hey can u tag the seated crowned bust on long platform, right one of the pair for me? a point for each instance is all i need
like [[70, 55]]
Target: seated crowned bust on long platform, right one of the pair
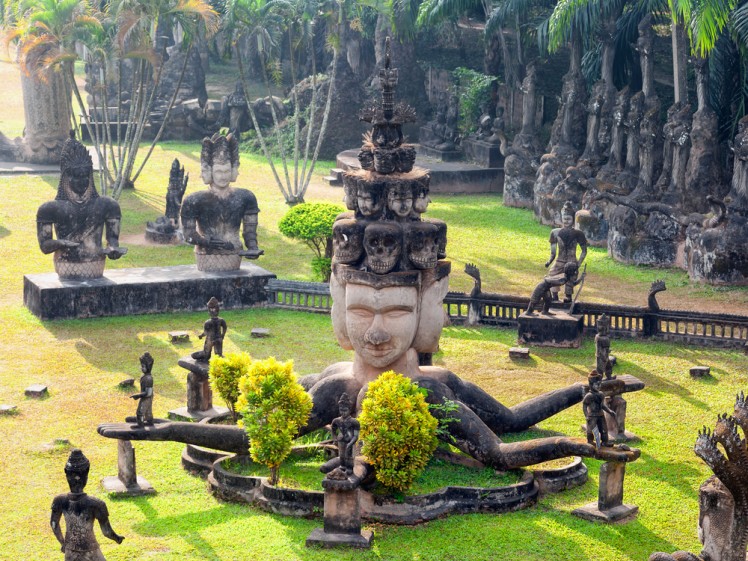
[[211, 219]]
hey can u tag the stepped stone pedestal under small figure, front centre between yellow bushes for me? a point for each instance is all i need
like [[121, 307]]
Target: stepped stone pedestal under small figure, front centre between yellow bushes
[[342, 517]]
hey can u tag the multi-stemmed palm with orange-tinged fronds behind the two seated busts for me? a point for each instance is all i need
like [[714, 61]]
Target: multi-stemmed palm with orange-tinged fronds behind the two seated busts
[[48, 32]]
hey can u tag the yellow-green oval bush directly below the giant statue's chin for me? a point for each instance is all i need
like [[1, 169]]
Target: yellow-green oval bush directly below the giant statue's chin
[[398, 432]]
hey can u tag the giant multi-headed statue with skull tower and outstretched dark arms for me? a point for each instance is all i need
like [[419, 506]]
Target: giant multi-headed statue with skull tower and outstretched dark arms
[[388, 308]]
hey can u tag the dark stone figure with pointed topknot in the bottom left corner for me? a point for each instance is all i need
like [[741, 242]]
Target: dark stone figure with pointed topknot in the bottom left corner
[[80, 511]]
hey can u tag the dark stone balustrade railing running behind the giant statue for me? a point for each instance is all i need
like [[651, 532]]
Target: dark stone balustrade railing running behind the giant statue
[[502, 310]]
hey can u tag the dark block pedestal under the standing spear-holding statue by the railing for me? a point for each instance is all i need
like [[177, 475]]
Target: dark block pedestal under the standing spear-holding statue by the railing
[[558, 329]]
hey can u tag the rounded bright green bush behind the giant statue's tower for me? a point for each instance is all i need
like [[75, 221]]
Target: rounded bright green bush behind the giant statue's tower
[[312, 224]]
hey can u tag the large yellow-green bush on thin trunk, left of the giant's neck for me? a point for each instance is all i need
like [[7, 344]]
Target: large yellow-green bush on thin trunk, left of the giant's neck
[[273, 406]]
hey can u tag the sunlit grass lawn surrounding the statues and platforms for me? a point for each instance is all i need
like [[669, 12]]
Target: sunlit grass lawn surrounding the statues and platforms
[[82, 362]]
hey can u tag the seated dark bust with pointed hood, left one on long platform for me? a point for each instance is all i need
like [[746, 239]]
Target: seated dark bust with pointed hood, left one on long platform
[[72, 225]]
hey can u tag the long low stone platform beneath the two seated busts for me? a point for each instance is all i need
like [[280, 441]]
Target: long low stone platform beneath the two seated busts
[[120, 292]]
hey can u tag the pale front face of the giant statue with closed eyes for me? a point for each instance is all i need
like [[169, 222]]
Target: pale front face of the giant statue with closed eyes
[[381, 323]]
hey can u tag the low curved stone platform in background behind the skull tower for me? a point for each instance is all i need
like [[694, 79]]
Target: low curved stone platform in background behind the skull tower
[[446, 177]]
